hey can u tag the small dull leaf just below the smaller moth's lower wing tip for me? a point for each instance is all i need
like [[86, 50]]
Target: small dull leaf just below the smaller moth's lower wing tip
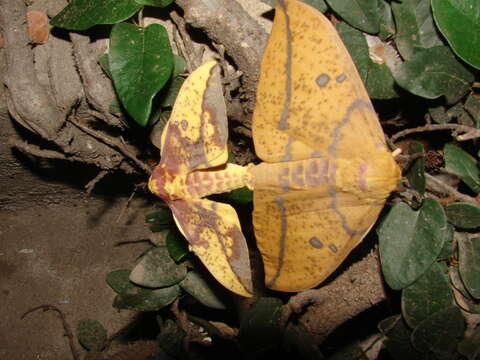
[[203, 291]]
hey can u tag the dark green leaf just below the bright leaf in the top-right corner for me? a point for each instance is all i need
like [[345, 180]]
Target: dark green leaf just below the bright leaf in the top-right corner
[[434, 72]]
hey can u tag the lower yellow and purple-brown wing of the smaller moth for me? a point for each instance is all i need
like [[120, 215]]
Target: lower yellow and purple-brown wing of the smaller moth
[[215, 236]]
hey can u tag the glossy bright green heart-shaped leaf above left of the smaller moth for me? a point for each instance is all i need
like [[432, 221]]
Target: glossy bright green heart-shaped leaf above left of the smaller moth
[[141, 62]]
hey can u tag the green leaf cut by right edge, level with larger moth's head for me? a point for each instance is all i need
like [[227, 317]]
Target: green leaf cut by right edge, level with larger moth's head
[[463, 165]]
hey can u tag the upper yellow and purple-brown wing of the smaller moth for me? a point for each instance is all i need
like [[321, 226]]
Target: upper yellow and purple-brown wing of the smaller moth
[[195, 136]]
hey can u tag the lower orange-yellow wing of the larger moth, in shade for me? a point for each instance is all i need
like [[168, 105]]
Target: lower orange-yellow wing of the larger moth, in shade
[[304, 236]]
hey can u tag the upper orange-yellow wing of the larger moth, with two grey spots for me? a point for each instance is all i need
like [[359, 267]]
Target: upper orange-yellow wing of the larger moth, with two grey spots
[[309, 92]]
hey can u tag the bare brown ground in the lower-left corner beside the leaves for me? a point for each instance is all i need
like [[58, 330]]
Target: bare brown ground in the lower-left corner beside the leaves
[[59, 255]]
